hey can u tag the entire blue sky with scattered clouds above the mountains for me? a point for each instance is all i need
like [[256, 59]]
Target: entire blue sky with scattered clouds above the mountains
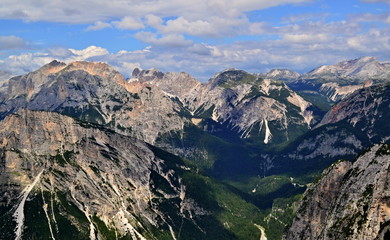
[[200, 37]]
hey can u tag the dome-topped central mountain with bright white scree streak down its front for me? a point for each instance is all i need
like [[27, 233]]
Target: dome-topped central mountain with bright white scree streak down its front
[[251, 106]]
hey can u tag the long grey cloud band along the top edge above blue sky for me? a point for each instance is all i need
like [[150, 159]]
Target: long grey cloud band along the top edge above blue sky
[[91, 11]]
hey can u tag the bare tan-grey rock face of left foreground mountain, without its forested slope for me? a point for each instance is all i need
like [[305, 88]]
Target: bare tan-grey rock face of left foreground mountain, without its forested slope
[[86, 179]]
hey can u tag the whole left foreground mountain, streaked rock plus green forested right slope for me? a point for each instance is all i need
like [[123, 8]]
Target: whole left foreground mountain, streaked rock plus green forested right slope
[[65, 179]]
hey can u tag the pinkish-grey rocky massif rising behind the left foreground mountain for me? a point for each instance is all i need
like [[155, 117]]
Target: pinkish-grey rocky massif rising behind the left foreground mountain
[[97, 93]]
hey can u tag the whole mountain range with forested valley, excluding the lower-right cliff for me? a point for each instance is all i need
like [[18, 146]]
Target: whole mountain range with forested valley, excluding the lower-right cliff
[[90, 154]]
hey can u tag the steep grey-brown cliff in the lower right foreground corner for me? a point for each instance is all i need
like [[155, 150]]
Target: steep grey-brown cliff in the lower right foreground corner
[[350, 201]]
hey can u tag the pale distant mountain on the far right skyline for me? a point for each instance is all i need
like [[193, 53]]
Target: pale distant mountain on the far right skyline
[[335, 82]]
